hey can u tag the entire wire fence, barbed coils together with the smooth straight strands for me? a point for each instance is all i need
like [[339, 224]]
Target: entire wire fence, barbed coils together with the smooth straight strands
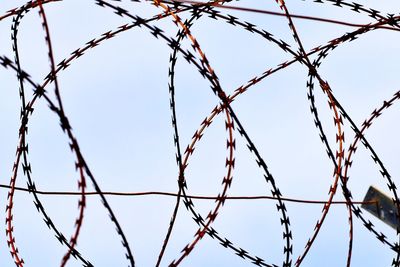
[[341, 157]]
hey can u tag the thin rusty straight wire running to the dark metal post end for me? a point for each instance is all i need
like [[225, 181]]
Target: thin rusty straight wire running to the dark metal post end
[[64, 193]]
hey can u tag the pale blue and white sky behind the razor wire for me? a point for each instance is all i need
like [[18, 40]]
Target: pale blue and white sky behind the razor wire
[[116, 99]]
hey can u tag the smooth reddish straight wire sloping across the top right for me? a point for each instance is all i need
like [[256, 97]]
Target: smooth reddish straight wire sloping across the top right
[[267, 12]]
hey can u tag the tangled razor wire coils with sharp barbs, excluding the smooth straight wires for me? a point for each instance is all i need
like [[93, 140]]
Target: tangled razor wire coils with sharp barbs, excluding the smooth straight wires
[[341, 158]]
